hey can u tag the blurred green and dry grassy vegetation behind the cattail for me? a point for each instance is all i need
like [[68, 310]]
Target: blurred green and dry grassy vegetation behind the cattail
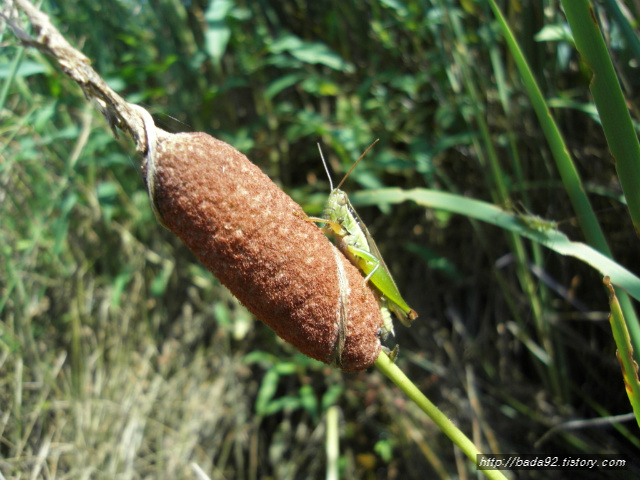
[[120, 356]]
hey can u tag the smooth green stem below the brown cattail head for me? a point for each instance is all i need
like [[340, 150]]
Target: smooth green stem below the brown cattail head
[[397, 376]]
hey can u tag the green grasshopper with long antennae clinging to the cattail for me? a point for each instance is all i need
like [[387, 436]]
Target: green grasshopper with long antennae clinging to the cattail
[[354, 240]]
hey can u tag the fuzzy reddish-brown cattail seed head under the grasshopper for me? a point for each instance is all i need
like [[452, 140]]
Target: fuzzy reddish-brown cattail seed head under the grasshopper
[[254, 238]]
